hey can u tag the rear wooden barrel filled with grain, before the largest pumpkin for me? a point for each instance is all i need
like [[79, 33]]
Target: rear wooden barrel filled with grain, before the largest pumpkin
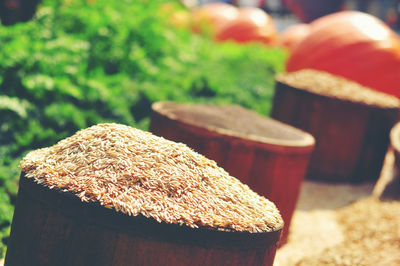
[[350, 123]]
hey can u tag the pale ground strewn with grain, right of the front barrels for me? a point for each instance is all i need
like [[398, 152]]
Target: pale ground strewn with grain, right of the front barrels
[[340, 224]]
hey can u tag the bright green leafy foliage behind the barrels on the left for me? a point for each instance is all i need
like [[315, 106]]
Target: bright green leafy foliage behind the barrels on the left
[[79, 63]]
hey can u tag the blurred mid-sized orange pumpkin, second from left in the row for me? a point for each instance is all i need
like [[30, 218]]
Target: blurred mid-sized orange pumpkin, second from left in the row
[[251, 25]]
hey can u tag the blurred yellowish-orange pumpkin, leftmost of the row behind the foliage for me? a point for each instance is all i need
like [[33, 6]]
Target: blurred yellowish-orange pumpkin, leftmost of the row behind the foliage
[[212, 16]]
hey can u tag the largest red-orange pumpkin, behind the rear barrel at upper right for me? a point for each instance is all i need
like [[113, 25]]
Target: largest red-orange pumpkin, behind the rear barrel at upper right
[[354, 45]]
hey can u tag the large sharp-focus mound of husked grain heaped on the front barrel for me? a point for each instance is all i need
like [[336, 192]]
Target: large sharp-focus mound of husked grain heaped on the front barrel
[[136, 173]]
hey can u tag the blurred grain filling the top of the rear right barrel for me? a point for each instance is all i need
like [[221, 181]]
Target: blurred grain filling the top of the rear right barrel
[[326, 84]]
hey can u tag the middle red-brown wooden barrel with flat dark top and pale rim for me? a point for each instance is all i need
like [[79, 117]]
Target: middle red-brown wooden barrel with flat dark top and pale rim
[[267, 155]]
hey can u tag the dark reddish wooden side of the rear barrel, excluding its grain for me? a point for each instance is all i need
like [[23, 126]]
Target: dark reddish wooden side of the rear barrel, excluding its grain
[[351, 138]]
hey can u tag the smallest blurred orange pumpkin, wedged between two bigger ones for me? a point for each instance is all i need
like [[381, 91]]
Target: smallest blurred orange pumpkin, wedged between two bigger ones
[[293, 35]]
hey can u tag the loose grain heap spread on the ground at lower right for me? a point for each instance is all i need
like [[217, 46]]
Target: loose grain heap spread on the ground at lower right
[[372, 236]]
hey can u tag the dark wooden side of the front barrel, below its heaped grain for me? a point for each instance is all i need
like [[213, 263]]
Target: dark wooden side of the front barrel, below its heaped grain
[[51, 227]]
